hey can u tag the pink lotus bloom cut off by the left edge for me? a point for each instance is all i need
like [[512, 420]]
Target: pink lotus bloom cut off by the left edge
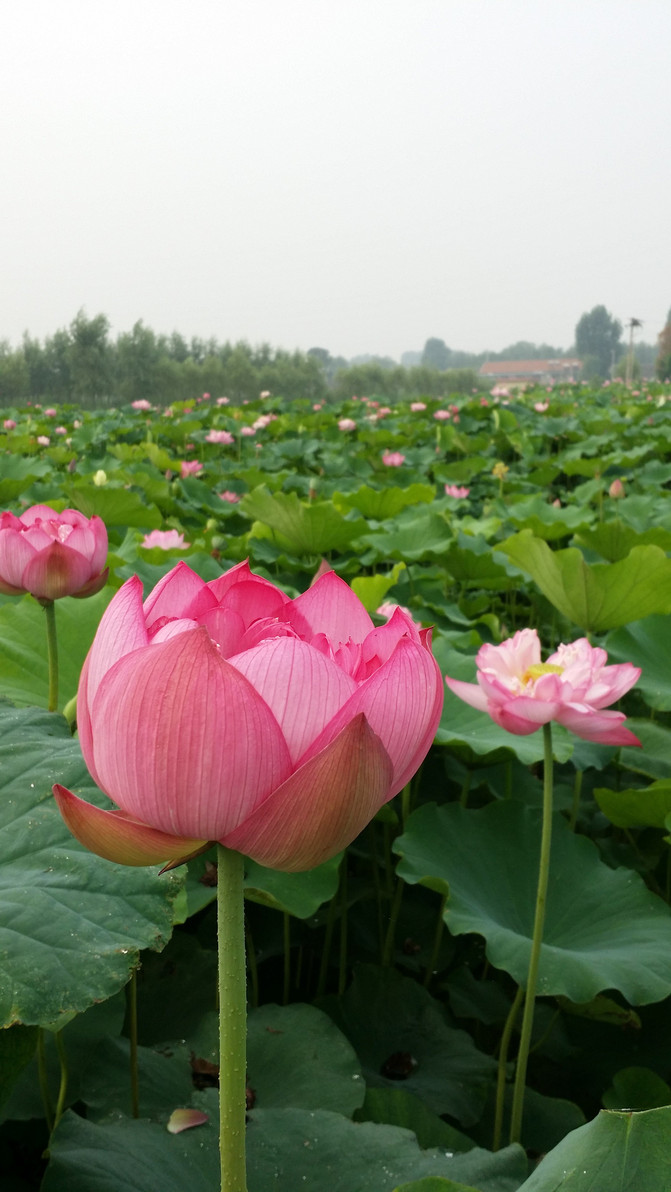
[[52, 555]]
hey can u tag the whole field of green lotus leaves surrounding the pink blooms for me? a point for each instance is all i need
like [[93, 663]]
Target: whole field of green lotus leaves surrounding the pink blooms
[[380, 984]]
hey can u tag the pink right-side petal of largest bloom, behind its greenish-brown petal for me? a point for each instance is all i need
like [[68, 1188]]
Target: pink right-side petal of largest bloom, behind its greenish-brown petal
[[402, 703]]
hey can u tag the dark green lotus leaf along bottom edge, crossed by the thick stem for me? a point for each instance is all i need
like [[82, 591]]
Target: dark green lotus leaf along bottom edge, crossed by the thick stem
[[288, 1150]]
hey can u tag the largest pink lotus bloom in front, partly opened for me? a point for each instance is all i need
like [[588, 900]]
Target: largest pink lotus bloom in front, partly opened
[[228, 712]]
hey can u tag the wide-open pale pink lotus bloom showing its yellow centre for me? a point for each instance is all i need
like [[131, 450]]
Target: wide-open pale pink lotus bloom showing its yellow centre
[[574, 686]]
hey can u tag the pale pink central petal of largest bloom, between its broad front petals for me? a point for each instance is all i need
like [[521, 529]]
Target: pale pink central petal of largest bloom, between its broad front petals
[[303, 688]]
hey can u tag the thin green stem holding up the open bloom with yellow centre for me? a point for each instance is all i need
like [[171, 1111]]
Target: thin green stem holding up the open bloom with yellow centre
[[537, 942]]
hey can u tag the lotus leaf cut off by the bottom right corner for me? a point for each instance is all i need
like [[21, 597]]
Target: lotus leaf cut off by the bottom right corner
[[619, 1152]]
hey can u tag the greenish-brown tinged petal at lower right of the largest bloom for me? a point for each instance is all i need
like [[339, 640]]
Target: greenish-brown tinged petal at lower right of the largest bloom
[[322, 808]]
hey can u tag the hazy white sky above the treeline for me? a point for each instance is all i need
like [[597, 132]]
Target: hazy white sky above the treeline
[[351, 175]]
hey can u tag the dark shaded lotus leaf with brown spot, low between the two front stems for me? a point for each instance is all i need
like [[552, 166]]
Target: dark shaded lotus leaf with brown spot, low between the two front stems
[[403, 1040]]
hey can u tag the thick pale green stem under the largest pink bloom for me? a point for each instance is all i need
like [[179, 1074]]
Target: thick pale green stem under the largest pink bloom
[[233, 1019]]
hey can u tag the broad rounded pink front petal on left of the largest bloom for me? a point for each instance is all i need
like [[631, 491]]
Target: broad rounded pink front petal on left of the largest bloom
[[183, 742]]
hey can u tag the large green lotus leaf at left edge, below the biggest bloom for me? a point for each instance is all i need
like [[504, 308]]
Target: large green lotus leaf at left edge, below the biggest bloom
[[72, 926]]
